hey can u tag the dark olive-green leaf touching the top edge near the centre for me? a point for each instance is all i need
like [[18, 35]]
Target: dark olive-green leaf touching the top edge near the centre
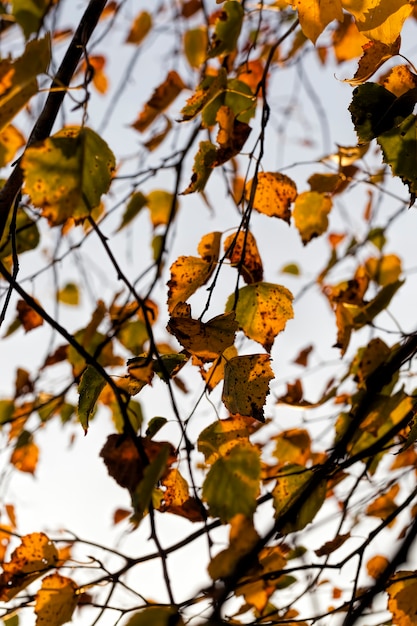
[[227, 29]]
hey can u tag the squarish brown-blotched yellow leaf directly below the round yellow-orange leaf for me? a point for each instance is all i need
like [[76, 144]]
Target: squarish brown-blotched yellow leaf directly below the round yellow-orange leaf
[[246, 385]]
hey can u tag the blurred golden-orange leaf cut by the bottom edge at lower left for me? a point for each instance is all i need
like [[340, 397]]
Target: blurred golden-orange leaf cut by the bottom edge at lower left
[[55, 601]]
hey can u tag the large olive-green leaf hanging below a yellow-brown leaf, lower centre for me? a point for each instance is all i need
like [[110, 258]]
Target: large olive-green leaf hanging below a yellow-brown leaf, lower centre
[[232, 484]]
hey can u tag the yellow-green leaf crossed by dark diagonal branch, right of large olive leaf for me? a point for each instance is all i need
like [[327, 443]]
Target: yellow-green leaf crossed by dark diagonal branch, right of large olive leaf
[[291, 487]]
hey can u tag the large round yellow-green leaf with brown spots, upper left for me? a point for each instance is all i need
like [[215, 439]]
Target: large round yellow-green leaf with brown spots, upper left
[[67, 174]]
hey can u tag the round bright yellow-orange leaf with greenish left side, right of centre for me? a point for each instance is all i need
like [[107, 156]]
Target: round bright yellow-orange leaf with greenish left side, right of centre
[[262, 311]]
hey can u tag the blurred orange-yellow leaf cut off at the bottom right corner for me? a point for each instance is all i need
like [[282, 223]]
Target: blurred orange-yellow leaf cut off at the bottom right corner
[[402, 598]]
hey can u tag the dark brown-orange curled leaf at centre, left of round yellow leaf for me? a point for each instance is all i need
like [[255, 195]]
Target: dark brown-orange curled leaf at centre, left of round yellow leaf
[[205, 340]]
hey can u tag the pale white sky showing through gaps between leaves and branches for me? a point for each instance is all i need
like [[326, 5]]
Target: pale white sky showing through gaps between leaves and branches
[[71, 488]]
